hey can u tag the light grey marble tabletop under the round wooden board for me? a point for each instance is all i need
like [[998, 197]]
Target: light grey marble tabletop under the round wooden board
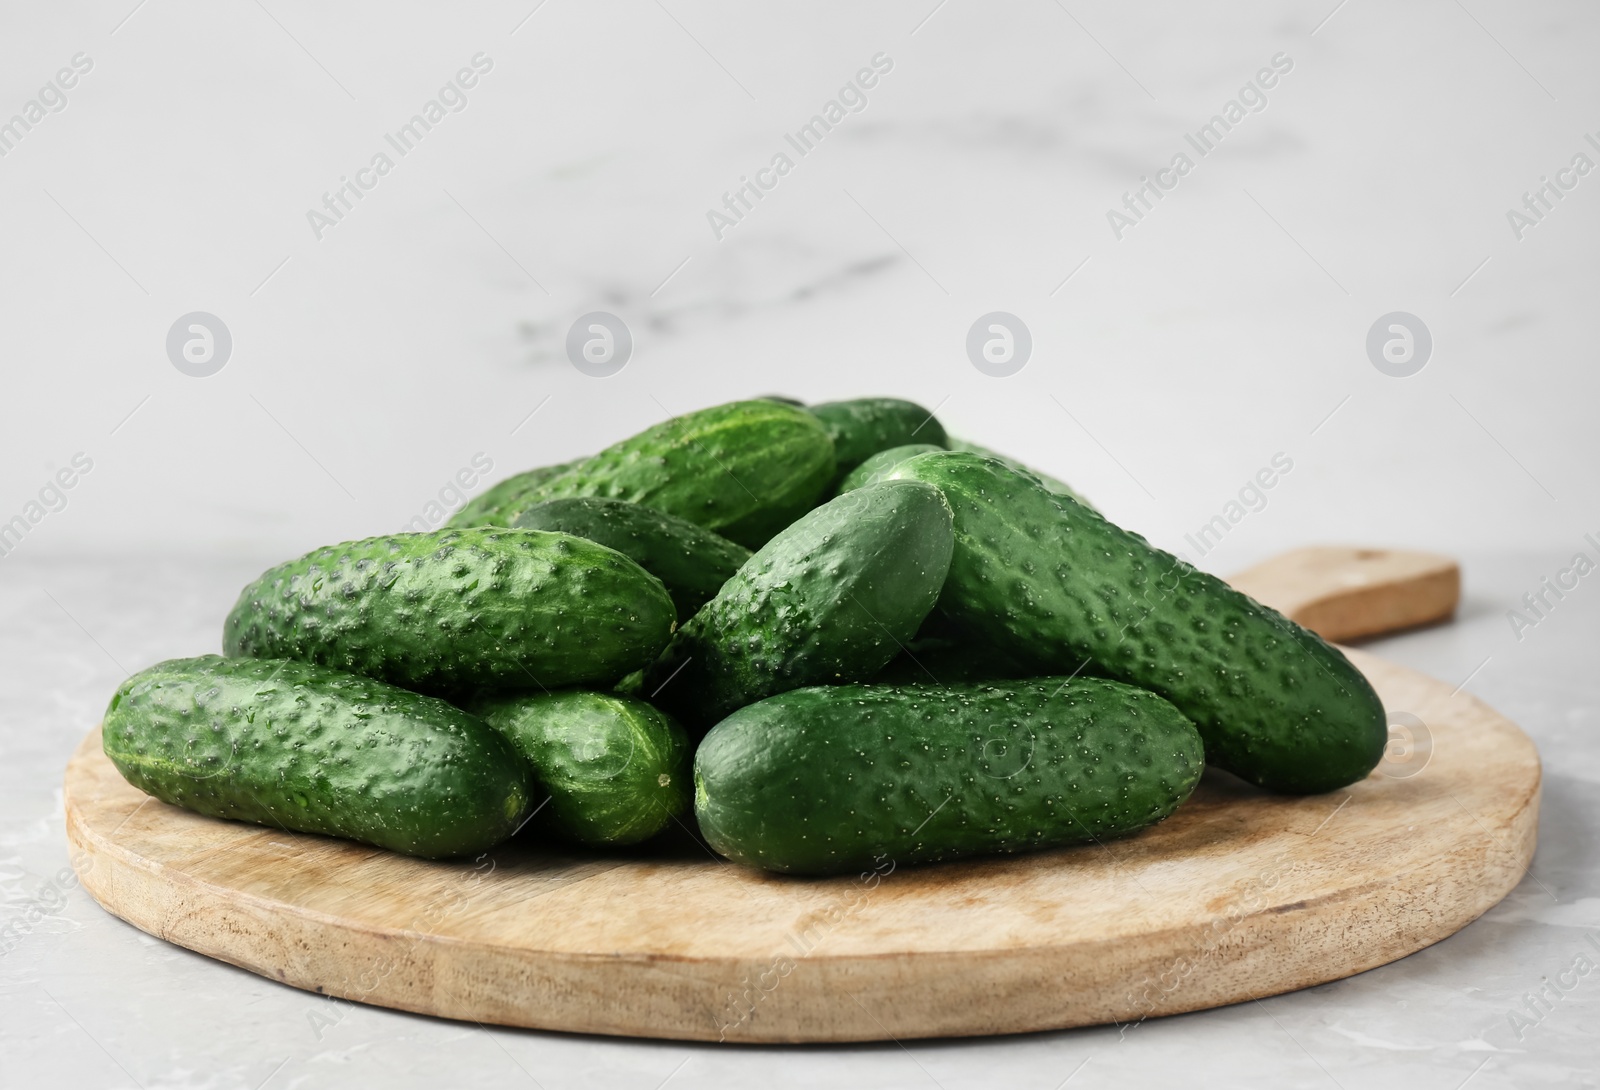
[[94, 1003]]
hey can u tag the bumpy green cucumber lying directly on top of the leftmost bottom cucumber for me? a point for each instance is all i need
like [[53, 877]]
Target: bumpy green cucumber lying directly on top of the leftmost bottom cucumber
[[458, 611]]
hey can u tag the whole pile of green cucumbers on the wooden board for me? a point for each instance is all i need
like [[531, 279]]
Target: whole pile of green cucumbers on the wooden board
[[817, 636]]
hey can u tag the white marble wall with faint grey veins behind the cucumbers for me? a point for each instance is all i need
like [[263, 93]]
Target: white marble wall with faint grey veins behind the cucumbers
[[1222, 331]]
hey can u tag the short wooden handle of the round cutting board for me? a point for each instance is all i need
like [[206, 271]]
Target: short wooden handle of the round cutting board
[[1346, 593]]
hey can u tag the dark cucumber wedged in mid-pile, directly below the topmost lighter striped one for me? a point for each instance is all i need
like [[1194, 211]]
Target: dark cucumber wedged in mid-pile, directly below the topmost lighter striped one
[[692, 563]]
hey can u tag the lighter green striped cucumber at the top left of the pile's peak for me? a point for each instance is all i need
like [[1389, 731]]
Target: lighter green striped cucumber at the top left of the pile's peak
[[745, 470]]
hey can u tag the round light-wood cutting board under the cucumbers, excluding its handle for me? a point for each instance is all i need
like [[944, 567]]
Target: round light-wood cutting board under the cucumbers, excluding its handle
[[1239, 896]]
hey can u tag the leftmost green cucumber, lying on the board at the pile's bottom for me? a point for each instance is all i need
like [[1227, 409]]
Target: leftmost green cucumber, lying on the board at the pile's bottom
[[305, 748]]
